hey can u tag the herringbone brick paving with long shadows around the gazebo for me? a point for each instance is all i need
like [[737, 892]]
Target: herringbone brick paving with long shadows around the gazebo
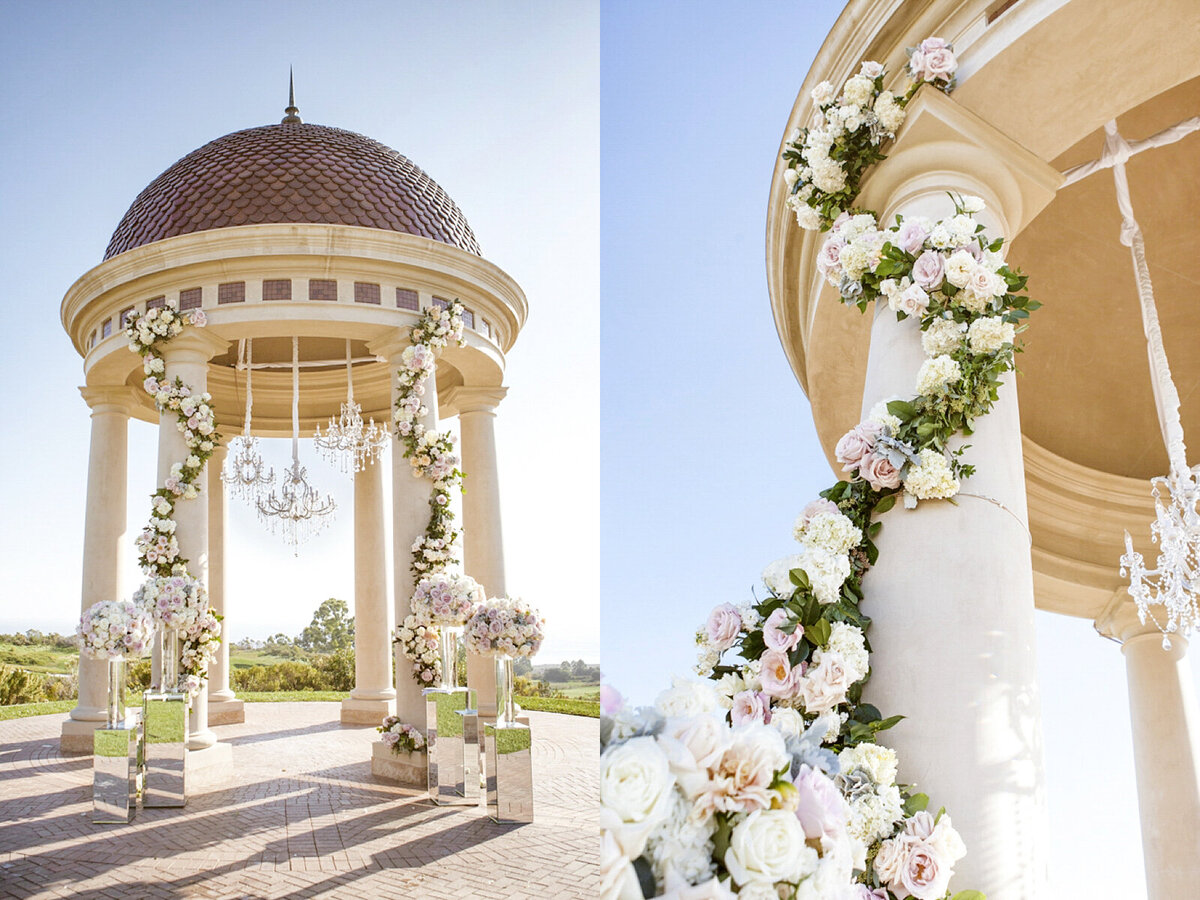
[[302, 817]]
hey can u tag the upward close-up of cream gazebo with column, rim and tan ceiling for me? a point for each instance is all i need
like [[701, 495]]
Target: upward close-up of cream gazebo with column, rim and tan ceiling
[[1063, 473]]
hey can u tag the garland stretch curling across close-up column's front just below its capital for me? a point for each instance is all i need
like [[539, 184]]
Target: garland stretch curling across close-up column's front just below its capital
[[970, 305]]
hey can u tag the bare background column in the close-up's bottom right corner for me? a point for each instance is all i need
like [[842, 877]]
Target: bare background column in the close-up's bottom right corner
[[1166, 749]]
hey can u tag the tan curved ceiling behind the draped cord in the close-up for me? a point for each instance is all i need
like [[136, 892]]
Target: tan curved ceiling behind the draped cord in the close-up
[[1087, 389]]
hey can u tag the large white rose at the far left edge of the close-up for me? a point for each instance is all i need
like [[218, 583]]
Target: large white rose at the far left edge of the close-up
[[635, 793]]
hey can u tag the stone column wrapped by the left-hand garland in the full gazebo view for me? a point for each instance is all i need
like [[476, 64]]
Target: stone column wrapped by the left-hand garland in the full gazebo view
[[188, 357]]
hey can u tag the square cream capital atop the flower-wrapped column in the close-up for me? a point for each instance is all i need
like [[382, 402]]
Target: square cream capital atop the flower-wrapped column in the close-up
[[945, 147]]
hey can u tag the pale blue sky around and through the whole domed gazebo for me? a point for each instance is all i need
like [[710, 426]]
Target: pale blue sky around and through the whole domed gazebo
[[499, 103]]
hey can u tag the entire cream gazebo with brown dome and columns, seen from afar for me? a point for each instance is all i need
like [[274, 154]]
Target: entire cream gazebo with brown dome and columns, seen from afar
[[280, 232]]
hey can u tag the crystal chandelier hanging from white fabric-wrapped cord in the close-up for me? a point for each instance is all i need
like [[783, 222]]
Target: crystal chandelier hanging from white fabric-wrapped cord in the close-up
[[1173, 584]]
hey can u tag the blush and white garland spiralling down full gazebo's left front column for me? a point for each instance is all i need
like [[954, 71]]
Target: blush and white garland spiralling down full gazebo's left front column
[[172, 595]]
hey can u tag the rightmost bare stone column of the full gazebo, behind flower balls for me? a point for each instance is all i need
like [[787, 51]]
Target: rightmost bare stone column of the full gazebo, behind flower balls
[[483, 536]]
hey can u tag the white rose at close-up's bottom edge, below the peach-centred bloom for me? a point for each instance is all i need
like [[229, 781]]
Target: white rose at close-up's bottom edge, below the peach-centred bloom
[[770, 847]]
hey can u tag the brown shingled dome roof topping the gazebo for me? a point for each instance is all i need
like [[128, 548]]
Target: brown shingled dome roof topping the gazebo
[[292, 173]]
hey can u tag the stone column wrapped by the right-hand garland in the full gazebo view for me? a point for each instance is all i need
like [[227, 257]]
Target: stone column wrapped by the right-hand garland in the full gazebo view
[[410, 517]]
